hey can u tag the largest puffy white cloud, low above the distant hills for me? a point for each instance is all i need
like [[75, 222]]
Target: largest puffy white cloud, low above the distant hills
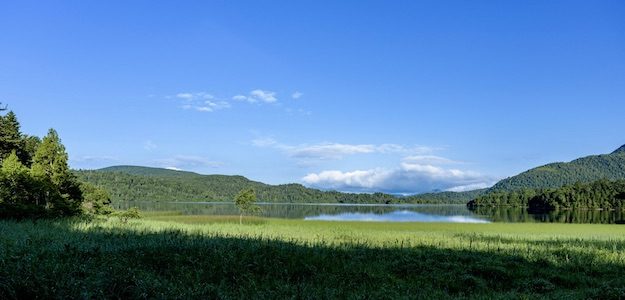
[[409, 178]]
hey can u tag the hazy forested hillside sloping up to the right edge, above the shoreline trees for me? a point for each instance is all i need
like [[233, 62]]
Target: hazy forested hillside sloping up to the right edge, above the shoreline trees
[[587, 169]]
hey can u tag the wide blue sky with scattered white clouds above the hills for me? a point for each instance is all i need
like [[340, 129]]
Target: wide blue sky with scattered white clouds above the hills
[[394, 96]]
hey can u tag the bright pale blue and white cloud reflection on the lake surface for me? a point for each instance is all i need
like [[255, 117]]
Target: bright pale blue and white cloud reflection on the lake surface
[[396, 216]]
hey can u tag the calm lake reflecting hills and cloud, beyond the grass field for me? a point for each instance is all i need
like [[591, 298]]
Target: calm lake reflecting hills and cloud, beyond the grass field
[[387, 213]]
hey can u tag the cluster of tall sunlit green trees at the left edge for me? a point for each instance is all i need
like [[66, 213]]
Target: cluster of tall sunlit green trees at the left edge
[[35, 179]]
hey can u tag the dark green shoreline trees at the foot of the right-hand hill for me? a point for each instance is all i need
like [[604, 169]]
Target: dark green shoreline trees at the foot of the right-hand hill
[[600, 194]]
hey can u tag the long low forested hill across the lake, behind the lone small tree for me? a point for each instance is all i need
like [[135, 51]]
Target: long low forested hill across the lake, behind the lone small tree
[[132, 183]]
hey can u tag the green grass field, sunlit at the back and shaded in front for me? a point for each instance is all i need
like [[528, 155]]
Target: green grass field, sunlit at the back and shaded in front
[[168, 255]]
